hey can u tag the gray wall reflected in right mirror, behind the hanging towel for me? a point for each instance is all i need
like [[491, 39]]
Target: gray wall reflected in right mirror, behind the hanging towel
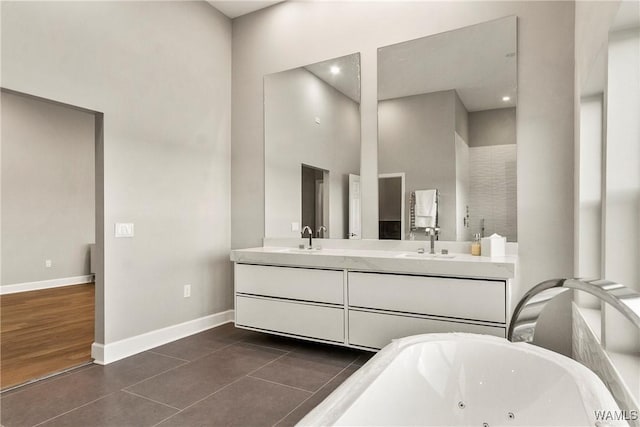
[[416, 136]]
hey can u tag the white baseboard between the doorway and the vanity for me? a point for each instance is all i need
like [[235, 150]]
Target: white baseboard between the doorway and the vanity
[[105, 354]]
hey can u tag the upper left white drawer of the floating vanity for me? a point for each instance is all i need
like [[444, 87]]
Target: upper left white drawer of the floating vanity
[[293, 283]]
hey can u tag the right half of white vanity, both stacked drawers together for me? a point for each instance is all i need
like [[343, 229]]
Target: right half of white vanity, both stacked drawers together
[[385, 306]]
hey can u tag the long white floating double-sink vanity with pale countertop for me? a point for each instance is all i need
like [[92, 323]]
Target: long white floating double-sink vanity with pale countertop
[[366, 298]]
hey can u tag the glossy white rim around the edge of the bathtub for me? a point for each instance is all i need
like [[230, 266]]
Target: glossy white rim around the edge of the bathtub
[[329, 411]]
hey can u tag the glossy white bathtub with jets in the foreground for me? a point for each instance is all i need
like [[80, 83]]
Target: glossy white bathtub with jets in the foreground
[[465, 380]]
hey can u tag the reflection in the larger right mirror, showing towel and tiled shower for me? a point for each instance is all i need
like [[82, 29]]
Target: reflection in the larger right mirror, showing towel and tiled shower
[[447, 121]]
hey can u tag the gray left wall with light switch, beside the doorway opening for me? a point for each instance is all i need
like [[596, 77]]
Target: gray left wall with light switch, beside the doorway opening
[[161, 74]]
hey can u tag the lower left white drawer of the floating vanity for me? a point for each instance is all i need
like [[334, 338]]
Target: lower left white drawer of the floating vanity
[[326, 323]]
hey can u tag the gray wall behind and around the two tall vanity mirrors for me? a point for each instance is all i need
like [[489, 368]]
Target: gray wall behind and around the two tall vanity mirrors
[[263, 45]]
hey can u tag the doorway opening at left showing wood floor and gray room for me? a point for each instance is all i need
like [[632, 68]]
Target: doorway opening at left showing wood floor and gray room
[[51, 291]]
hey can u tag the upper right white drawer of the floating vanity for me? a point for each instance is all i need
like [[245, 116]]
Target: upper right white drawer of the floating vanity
[[437, 296]]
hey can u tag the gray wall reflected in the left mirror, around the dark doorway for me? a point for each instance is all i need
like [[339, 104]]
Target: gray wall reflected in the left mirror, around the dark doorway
[[293, 100]]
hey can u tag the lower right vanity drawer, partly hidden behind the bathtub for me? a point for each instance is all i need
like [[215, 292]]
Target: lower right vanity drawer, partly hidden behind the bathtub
[[375, 330]]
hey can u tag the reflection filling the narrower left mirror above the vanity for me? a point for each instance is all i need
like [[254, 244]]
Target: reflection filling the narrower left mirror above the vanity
[[312, 146]]
